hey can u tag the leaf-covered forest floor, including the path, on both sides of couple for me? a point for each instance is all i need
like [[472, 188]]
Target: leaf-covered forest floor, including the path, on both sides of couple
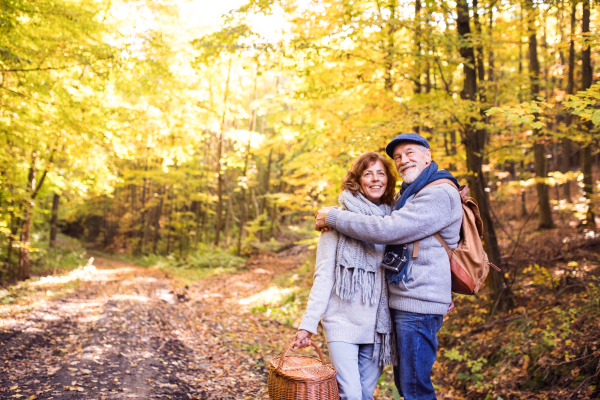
[[111, 329]]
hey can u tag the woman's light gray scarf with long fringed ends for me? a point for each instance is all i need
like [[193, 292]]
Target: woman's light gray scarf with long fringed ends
[[356, 266]]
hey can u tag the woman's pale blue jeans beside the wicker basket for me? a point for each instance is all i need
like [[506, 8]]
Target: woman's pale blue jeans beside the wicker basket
[[357, 373]]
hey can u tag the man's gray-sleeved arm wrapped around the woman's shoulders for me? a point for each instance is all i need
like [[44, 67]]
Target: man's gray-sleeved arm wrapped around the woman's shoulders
[[425, 215]]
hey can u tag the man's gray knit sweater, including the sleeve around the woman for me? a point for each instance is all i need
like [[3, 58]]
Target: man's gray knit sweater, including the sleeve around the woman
[[434, 209]]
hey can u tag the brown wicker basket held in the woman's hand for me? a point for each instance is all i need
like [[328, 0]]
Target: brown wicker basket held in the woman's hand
[[302, 378]]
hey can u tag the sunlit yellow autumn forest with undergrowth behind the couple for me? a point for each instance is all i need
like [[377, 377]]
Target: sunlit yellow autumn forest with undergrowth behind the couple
[[157, 132]]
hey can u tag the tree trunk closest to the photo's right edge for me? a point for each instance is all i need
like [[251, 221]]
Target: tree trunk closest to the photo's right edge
[[586, 151]]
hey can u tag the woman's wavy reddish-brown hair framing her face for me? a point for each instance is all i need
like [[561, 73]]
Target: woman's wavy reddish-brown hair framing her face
[[351, 181]]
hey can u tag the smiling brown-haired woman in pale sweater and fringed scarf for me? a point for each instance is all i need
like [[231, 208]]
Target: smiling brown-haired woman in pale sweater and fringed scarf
[[349, 291]]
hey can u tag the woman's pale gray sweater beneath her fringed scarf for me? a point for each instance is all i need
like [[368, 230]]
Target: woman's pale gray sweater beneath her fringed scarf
[[350, 321]]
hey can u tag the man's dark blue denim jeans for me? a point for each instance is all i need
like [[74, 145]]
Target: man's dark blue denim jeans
[[417, 349]]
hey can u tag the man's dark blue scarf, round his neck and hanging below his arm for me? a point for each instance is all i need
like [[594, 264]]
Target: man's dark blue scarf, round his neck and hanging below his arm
[[428, 175]]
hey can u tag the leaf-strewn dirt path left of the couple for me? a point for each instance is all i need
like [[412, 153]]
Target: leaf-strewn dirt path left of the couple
[[112, 330]]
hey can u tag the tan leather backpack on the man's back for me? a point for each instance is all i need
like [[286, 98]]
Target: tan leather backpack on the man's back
[[469, 263]]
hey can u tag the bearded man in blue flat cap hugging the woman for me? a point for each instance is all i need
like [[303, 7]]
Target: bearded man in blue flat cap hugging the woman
[[420, 292]]
